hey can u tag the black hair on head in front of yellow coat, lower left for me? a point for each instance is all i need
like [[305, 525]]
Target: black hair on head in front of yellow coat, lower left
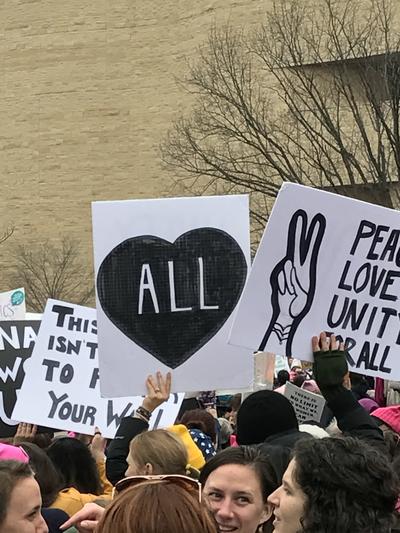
[[75, 465]]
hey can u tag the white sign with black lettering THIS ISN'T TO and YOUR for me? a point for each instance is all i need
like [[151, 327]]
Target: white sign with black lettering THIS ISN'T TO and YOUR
[[61, 385]]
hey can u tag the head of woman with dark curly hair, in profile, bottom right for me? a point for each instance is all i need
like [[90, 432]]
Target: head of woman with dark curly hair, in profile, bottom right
[[335, 484]]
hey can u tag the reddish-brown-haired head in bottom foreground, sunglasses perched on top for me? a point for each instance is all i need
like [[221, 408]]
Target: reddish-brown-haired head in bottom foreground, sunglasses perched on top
[[162, 505]]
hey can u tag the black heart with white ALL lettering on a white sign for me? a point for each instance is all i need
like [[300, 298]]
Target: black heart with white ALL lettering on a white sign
[[172, 298]]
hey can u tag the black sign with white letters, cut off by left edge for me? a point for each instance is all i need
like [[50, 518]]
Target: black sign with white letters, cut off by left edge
[[16, 343]]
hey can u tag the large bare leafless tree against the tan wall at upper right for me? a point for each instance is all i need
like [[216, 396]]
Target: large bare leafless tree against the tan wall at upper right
[[311, 96]]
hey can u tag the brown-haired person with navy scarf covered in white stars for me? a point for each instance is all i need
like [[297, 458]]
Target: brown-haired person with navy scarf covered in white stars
[[202, 428]]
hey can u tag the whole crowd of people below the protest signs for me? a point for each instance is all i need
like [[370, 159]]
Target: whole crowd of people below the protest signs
[[242, 467]]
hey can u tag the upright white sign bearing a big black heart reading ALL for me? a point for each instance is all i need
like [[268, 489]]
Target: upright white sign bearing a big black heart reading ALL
[[169, 274]]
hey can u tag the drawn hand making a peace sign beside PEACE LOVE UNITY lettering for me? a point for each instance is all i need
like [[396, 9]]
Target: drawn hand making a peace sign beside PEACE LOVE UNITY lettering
[[293, 280]]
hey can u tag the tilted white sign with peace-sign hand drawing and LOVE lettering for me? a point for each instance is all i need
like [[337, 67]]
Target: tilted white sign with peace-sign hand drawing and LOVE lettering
[[326, 263]]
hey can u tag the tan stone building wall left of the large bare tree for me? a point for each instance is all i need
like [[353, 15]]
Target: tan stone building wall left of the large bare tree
[[87, 91]]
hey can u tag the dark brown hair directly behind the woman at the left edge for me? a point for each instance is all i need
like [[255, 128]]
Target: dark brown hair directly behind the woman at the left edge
[[45, 473]]
